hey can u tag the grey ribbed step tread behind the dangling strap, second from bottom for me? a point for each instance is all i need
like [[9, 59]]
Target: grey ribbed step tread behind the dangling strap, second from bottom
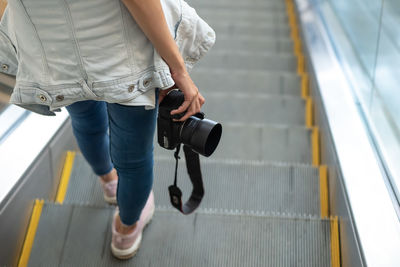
[[251, 186]]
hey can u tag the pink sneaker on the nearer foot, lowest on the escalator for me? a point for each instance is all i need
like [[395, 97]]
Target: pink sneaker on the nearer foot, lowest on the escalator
[[125, 246]]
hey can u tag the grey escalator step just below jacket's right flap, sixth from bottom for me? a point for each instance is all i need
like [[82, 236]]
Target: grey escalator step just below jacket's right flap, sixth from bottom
[[250, 61]]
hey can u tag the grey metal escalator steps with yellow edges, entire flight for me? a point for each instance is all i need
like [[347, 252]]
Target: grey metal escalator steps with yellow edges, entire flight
[[266, 194]]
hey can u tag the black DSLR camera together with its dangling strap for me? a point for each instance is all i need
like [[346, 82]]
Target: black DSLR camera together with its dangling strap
[[198, 135]]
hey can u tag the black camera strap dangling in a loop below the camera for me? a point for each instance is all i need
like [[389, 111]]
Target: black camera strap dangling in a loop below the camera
[[194, 171]]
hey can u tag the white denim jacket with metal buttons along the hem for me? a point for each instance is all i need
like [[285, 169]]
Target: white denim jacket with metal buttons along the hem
[[63, 51]]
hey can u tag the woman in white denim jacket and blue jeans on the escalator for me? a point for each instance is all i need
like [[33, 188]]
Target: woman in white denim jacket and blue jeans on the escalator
[[107, 61]]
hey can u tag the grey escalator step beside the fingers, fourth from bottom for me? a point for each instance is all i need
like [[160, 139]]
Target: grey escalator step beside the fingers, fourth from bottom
[[254, 108]]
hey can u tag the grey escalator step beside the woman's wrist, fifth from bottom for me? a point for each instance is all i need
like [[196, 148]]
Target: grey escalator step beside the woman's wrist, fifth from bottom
[[231, 81]]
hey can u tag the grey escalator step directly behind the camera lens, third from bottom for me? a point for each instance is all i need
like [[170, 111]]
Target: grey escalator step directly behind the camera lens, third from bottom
[[261, 142]]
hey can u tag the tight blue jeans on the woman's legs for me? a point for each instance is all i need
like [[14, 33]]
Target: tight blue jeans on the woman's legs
[[128, 147]]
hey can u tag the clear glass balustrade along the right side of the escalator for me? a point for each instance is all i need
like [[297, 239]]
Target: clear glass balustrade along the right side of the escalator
[[366, 37]]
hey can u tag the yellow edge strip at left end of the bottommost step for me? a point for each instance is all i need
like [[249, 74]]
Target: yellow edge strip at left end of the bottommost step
[[30, 235]]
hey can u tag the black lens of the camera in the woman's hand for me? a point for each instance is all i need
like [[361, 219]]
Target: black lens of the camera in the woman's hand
[[202, 136]]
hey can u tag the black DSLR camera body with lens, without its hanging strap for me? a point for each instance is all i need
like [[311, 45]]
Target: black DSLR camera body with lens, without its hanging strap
[[200, 134]]
